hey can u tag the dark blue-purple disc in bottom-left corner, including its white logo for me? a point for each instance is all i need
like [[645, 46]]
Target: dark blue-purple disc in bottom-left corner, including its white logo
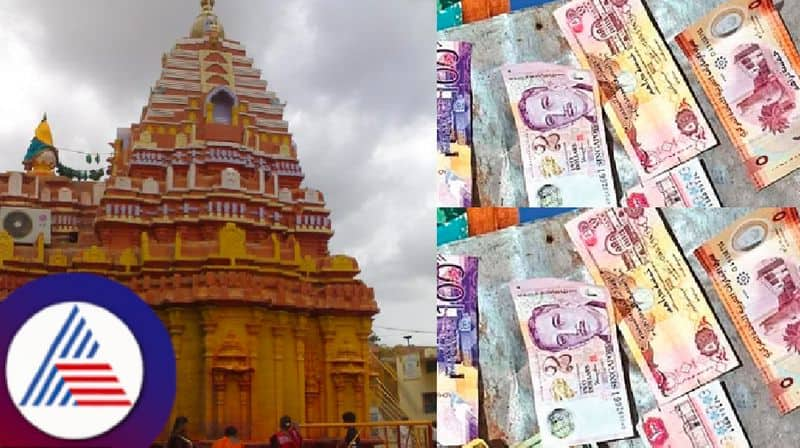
[[85, 363]]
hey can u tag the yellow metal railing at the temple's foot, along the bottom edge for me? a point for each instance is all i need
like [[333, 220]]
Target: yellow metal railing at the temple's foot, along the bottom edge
[[394, 434]]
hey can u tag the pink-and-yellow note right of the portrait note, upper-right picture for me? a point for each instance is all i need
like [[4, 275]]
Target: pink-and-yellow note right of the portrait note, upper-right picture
[[644, 93]]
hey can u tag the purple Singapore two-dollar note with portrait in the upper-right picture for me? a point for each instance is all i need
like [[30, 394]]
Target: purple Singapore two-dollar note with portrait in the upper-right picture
[[561, 135]]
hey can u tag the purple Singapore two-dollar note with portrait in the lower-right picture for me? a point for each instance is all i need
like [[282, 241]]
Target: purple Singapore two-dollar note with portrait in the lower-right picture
[[573, 354]]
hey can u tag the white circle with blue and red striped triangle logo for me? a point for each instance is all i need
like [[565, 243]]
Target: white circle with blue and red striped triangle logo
[[74, 370]]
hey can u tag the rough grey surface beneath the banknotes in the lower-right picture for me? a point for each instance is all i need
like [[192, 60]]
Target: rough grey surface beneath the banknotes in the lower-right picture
[[543, 249]]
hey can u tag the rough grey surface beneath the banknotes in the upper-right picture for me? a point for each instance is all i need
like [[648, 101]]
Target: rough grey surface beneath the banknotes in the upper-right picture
[[533, 35]]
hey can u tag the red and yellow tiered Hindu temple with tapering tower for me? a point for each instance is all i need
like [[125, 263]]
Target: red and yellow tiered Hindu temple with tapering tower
[[203, 213]]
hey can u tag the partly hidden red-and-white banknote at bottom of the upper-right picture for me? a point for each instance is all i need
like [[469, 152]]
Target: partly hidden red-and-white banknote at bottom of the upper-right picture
[[686, 186]]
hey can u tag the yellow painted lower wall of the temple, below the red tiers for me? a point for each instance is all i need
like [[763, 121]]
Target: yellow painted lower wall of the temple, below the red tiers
[[247, 366]]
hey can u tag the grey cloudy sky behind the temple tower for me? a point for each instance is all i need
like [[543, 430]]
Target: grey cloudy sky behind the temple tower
[[356, 78]]
